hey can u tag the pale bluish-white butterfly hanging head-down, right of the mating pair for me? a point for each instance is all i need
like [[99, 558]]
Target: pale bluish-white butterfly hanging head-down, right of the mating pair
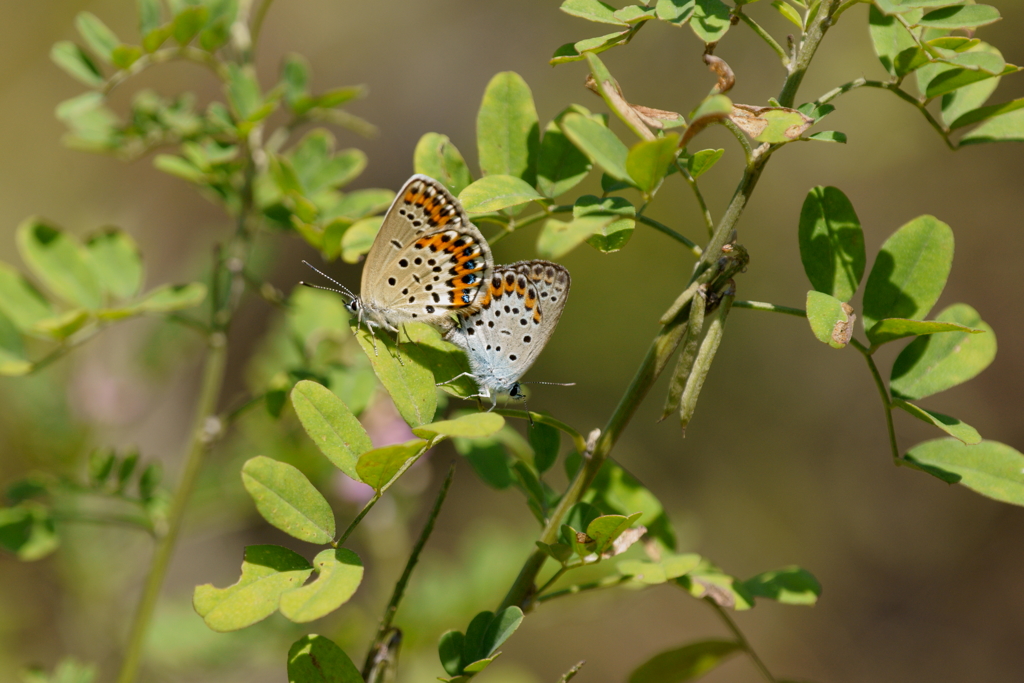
[[514, 322]]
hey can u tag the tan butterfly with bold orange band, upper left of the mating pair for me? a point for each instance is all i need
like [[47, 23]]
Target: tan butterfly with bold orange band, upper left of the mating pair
[[428, 262]]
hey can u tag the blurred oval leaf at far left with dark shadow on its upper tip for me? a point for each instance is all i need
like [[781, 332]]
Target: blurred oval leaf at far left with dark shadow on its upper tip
[[58, 260]]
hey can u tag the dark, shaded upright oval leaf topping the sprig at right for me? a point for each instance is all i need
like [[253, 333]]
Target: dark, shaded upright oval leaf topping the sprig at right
[[832, 244]]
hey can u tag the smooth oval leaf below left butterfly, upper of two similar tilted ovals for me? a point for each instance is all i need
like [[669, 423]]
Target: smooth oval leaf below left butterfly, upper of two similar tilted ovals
[[331, 425]]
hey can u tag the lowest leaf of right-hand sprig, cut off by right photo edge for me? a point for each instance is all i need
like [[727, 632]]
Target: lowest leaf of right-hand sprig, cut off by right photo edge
[[993, 469]]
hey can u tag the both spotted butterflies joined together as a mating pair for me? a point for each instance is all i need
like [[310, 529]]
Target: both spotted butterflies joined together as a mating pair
[[429, 263]]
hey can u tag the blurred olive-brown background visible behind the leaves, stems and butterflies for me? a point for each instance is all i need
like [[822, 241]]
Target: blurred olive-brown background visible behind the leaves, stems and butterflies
[[785, 463]]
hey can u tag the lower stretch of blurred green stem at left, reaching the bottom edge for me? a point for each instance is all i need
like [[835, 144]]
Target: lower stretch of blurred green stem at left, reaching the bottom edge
[[202, 437]]
